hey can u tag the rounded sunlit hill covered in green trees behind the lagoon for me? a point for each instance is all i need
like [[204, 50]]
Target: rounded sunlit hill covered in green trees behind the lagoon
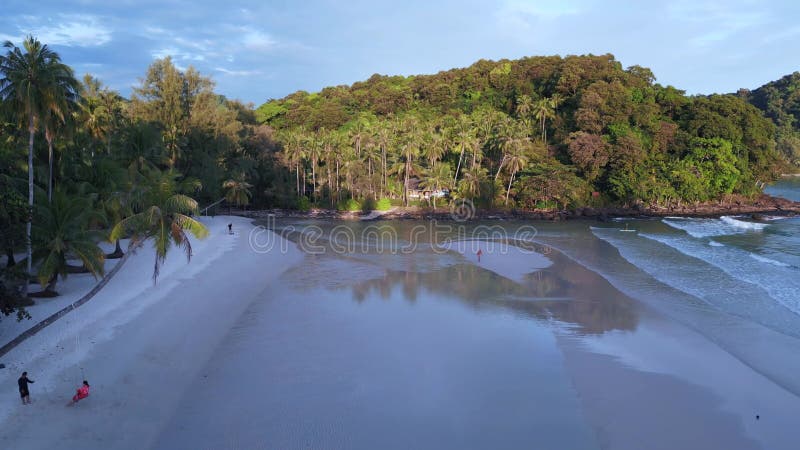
[[533, 132]]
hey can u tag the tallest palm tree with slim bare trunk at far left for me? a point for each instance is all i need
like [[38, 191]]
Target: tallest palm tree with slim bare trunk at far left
[[34, 83]]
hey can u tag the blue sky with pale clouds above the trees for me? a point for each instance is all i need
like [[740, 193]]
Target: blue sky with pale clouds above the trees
[[257, 50]]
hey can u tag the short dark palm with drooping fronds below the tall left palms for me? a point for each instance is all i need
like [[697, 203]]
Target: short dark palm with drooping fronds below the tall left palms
[[61, 234]]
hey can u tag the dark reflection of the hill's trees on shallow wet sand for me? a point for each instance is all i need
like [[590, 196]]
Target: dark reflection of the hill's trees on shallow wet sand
[[564, 292]]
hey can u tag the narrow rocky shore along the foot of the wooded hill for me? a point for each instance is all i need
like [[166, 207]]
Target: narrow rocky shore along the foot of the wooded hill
[[759, 207]]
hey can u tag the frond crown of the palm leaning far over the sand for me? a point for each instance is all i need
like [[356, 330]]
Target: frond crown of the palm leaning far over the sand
[[163, 215]]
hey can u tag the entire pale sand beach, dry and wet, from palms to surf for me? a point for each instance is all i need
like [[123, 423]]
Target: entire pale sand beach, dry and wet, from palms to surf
[[224, 352]]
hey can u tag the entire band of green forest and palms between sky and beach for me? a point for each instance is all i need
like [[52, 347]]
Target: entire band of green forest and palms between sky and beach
[[80, 164]]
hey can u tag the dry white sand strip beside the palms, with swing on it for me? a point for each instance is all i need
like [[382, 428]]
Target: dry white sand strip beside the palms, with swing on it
[[137, 344]]
